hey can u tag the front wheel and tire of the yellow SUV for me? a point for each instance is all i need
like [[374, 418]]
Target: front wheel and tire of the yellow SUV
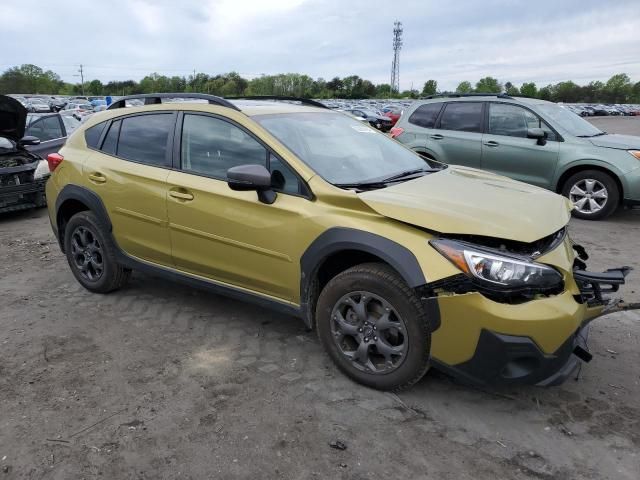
[[397, 344]]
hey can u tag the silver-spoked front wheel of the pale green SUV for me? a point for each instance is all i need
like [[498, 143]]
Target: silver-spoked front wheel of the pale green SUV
[[591, 205]]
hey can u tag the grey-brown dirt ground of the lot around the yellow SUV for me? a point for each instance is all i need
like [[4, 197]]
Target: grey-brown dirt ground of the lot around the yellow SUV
[[162, 381]]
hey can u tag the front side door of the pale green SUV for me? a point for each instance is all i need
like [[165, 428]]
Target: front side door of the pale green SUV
[[506, 150]]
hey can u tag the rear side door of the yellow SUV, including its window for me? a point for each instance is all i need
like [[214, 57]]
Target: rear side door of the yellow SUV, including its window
[[129, 172]]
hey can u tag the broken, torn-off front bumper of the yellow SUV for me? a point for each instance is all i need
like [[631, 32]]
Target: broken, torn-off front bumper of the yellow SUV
[[537, 342]]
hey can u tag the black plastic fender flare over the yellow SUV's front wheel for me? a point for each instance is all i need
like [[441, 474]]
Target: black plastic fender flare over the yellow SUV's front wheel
[[339, 239]]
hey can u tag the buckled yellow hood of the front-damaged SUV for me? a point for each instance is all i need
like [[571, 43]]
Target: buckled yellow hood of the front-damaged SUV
[[460, 200]]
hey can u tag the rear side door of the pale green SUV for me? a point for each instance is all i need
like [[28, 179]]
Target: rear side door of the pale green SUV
[[458, 135]]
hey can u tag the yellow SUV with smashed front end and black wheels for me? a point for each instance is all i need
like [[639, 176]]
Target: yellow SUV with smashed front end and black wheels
[[397, 263]]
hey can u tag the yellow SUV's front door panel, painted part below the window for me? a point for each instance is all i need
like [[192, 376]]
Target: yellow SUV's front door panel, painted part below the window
[[232, 237]]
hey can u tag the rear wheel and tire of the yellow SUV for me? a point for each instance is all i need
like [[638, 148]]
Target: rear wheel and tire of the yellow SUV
[[91, 254]]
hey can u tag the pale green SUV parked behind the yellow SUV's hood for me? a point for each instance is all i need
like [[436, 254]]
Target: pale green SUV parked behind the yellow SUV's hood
[[530, 140]]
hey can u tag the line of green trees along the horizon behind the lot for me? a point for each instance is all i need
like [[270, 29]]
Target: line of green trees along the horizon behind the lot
[[33, 79]]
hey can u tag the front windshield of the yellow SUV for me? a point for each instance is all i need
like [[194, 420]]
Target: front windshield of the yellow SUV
[[339, 148]]
